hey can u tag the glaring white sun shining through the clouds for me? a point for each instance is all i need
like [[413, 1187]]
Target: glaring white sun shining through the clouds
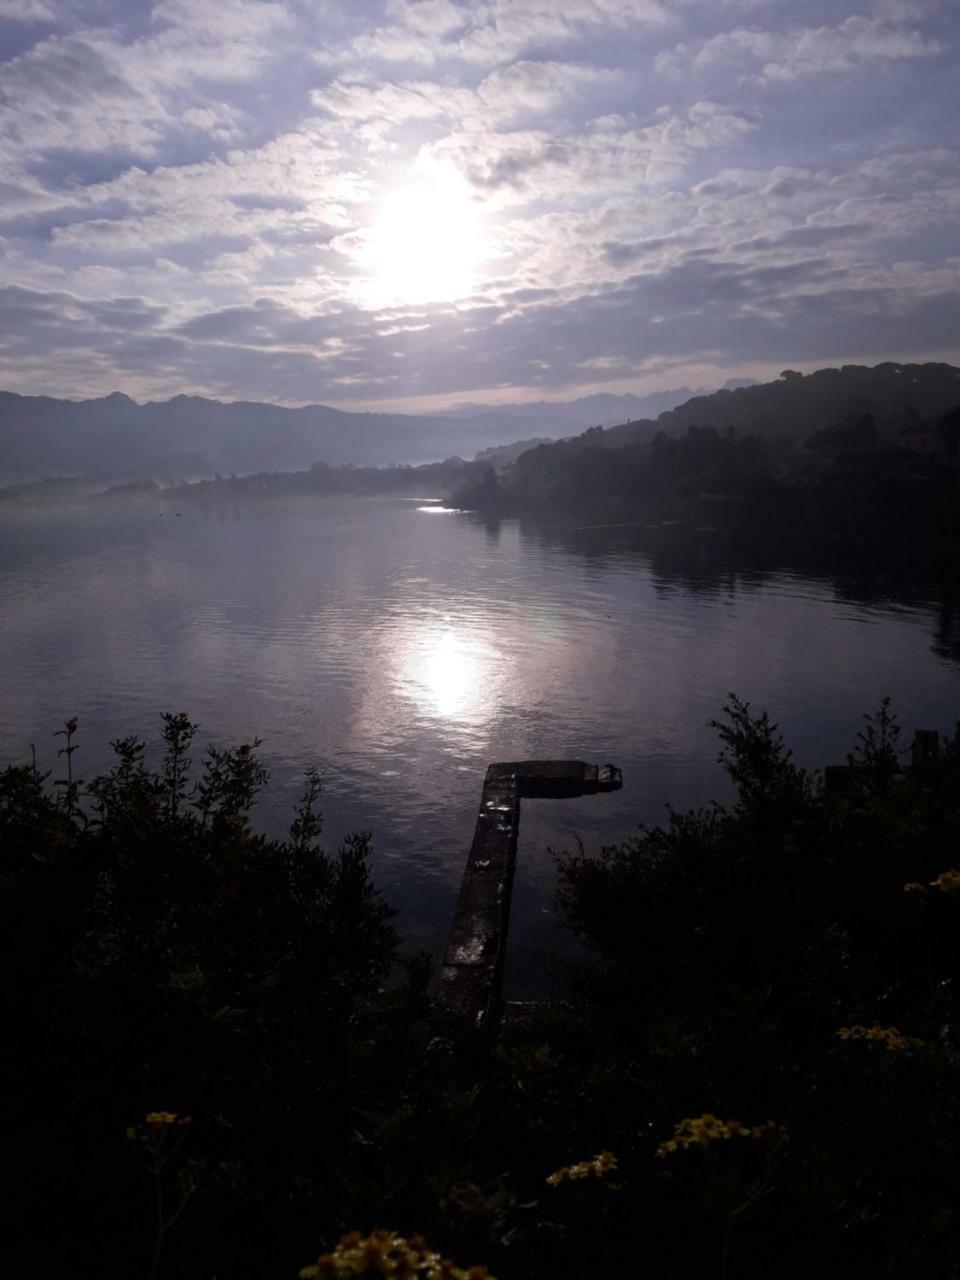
[[427, 243]]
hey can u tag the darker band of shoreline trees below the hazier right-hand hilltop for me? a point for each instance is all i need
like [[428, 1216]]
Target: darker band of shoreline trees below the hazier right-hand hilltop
[[845, 486]]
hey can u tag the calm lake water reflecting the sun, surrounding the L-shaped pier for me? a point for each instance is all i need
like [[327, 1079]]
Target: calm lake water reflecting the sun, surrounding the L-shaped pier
[[403, 650]]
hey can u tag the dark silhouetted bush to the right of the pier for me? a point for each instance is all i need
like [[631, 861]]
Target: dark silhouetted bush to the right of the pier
[[792, 957]]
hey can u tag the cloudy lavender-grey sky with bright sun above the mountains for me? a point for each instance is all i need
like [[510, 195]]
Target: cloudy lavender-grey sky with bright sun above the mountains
[[413, 204]]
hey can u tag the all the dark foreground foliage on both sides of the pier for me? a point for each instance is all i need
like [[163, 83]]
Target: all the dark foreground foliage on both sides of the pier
[[757, 1076]]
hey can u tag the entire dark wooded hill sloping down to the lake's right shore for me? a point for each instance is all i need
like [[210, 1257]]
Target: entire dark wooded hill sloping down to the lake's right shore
[[836, 459]]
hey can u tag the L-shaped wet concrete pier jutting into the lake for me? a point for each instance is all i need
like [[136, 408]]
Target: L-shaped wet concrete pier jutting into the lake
[[469, 994]]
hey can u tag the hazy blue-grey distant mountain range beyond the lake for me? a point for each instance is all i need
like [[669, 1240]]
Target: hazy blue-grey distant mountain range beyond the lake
[[190, 436]]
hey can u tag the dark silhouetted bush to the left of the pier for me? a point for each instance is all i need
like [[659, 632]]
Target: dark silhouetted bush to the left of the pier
[[161, 954]]
